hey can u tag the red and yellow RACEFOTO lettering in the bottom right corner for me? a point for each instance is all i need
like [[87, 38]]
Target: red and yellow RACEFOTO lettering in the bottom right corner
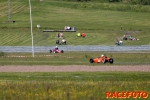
[[127, 94]]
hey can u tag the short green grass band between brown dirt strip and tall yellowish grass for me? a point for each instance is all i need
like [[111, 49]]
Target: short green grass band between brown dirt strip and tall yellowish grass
[[75, 76]]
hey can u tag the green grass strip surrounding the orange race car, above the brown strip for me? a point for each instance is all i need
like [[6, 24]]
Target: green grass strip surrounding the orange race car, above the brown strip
[[74, 58]]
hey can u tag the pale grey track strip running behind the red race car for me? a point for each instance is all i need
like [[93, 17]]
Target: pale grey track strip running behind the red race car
[[76, 48]]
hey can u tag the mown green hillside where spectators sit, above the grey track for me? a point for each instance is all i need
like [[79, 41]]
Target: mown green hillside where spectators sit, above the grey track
[[100, 21]]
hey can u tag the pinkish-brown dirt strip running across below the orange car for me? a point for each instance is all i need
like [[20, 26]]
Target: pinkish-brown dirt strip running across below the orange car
[[74, 68]]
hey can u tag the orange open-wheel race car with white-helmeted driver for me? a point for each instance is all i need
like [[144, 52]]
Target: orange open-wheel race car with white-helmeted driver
[[102, 59]]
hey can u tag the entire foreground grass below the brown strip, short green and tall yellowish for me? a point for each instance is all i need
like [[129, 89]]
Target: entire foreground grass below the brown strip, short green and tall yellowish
[[74, 86]]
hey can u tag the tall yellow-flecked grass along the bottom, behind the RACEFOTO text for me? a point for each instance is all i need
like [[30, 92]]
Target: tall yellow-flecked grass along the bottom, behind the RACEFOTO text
[[57, 90]]
